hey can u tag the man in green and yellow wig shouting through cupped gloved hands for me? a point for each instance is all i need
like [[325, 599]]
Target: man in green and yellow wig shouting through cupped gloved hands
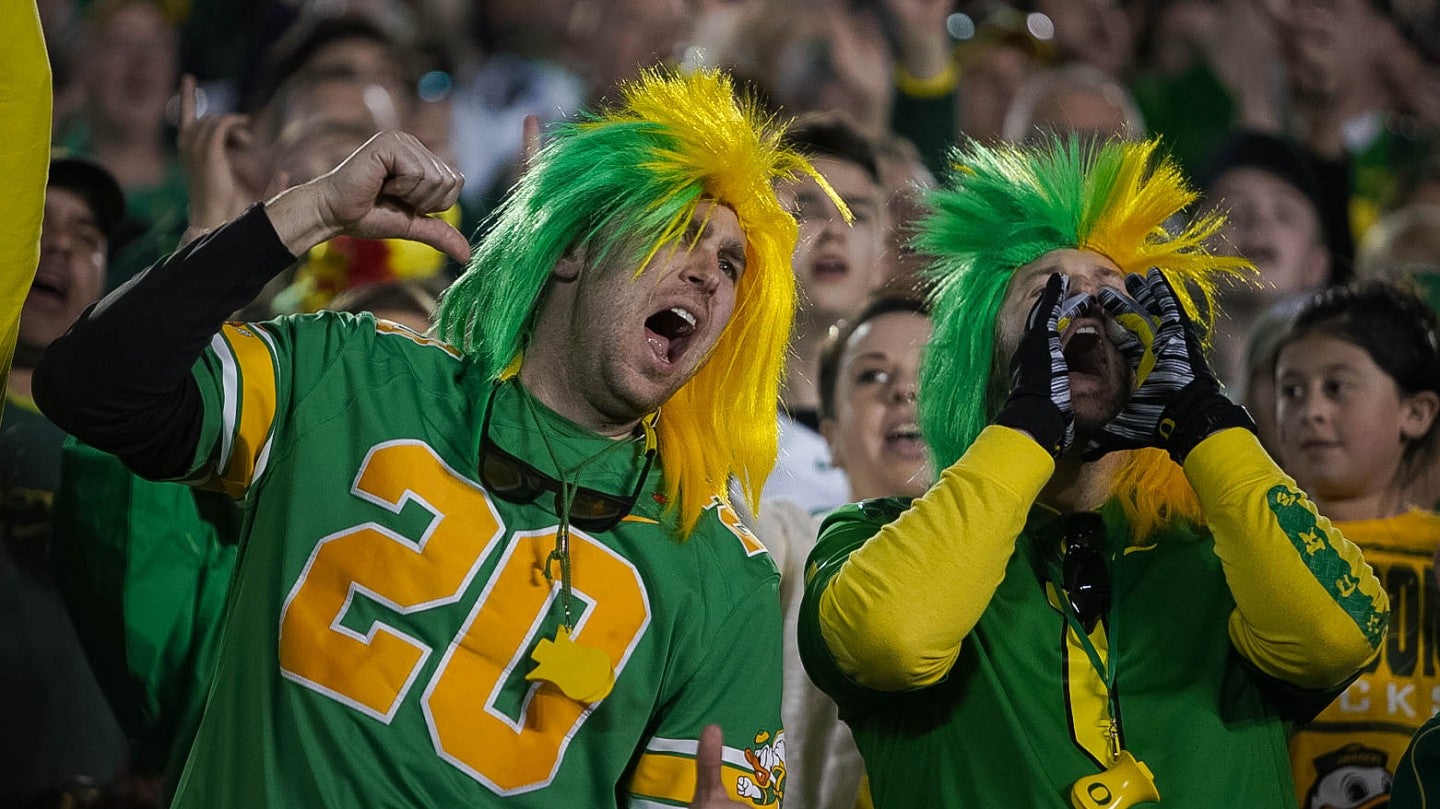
[[1112, 595]]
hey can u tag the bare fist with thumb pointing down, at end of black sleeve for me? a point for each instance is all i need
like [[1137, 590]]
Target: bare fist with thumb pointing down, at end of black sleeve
[[384, 191]]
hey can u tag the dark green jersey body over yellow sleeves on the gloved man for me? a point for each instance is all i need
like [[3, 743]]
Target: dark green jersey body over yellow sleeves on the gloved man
[[1020, 716]]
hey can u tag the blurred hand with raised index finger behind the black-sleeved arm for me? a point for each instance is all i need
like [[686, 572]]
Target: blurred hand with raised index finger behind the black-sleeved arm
[[208, 146]]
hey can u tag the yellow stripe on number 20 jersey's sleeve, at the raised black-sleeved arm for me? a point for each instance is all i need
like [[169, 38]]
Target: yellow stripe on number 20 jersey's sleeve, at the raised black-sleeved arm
[[254, 397]]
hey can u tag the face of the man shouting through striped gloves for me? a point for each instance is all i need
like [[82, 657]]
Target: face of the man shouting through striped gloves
[[1101, 379]]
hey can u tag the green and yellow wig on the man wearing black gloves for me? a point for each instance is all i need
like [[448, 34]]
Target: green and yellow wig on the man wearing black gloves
[[1004, 207]]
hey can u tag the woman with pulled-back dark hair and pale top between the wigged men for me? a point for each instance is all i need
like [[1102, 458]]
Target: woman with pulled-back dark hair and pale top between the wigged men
[[868, 385]]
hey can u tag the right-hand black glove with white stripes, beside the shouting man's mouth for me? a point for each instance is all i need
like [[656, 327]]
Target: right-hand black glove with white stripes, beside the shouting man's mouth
[[1177, 402]]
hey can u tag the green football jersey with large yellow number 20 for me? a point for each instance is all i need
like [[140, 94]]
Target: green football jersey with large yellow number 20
[[387, 608]]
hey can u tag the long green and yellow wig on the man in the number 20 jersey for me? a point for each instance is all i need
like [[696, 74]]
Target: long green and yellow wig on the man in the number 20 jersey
[[624, 185]]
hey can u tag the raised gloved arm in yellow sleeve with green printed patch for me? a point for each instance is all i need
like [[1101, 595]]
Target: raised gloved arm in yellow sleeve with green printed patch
[[1308, 608]]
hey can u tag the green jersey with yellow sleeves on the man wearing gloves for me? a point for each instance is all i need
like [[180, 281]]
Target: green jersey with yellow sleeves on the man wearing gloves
[[937, 625]]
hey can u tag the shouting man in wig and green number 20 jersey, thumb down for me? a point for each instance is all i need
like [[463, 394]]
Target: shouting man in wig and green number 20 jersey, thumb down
[[495, 568]]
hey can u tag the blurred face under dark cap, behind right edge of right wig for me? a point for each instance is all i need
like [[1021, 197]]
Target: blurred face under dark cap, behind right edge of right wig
[[1272, 224]]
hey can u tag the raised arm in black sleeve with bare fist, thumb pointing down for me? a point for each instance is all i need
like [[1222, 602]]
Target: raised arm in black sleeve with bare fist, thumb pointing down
[[120, 381]]
